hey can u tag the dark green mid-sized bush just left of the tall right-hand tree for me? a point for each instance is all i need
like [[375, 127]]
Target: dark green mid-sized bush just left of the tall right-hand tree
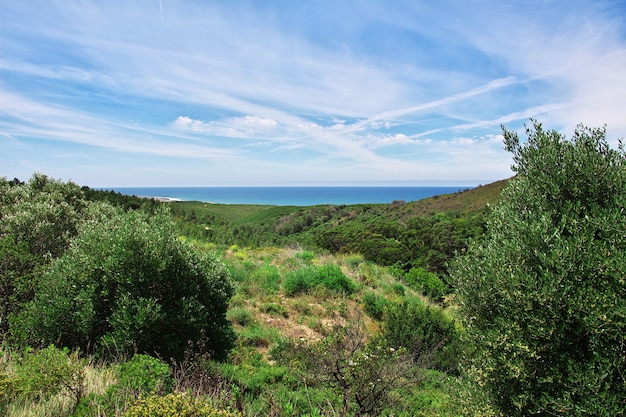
[[426, 332]]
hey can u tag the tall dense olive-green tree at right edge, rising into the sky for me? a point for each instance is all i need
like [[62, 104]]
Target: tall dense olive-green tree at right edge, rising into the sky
[[544, 294]]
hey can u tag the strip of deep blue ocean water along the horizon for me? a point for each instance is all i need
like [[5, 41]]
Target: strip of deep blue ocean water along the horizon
[[291, 196]]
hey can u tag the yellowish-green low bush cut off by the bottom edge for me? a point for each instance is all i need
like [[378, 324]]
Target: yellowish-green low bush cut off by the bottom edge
[[176, 404]]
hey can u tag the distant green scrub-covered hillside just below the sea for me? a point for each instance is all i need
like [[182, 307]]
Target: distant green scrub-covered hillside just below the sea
[[424, 233]]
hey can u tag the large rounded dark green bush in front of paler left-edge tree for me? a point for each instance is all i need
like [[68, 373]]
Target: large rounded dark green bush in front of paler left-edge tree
[[129, 284]]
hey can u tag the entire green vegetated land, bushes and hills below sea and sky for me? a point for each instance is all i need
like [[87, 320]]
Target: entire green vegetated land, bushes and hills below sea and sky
[[469, 304]]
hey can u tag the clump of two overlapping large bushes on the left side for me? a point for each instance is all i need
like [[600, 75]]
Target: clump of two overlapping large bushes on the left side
[[87, 275]]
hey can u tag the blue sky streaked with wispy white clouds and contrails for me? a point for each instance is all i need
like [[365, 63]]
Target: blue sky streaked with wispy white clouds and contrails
[[282, 92]]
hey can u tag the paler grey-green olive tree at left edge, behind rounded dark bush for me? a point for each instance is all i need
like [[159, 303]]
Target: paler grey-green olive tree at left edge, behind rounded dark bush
[[38, 219]]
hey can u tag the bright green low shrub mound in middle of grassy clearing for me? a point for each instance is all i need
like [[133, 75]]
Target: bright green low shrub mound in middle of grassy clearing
[[329, 276]]
